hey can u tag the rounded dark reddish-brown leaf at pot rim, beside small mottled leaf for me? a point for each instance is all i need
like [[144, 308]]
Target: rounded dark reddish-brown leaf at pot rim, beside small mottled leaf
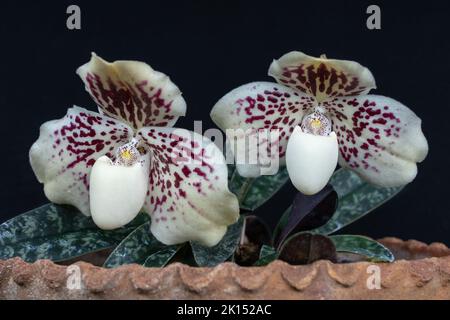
[[305, 248]]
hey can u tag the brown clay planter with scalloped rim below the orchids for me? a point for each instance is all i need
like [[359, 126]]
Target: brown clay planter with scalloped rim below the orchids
[[421, 272]]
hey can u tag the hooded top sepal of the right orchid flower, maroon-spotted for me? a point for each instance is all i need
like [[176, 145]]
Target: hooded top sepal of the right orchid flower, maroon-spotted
[[320, 77]]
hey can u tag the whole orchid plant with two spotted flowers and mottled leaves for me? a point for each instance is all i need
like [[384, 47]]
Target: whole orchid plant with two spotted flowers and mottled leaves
[[126, 182]]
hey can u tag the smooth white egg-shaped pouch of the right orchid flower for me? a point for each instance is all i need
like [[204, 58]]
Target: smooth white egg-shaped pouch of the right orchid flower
[[311, 160]]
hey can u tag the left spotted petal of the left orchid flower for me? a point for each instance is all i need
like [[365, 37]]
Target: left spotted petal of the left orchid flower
[[67, 149]]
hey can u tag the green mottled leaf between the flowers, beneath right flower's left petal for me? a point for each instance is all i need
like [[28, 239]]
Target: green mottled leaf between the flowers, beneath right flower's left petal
[[253, 193]]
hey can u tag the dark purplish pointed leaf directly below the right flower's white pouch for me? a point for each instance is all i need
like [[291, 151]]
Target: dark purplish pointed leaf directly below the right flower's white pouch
[[308, 212]]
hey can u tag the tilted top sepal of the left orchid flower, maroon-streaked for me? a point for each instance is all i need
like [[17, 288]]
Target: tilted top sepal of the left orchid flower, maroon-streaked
[[131, 91]]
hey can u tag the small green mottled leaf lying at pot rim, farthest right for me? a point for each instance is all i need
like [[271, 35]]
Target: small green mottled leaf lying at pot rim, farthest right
[[371, 249]]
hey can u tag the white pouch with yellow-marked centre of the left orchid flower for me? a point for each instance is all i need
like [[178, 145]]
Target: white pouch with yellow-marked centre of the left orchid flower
[[118, 189]]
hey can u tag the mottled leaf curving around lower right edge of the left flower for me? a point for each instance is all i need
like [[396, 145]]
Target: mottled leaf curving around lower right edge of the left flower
[[212, 256]]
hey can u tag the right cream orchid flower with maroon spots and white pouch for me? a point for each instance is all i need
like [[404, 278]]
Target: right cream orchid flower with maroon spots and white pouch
[[324, 115]]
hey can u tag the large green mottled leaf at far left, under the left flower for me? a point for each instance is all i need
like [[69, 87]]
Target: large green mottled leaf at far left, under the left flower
[[57, 233]]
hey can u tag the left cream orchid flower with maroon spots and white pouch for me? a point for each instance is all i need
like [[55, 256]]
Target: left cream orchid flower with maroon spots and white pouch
[[126, 158]]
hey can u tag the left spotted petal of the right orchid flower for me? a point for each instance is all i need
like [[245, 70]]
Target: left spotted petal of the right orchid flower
[[253, 107]]
